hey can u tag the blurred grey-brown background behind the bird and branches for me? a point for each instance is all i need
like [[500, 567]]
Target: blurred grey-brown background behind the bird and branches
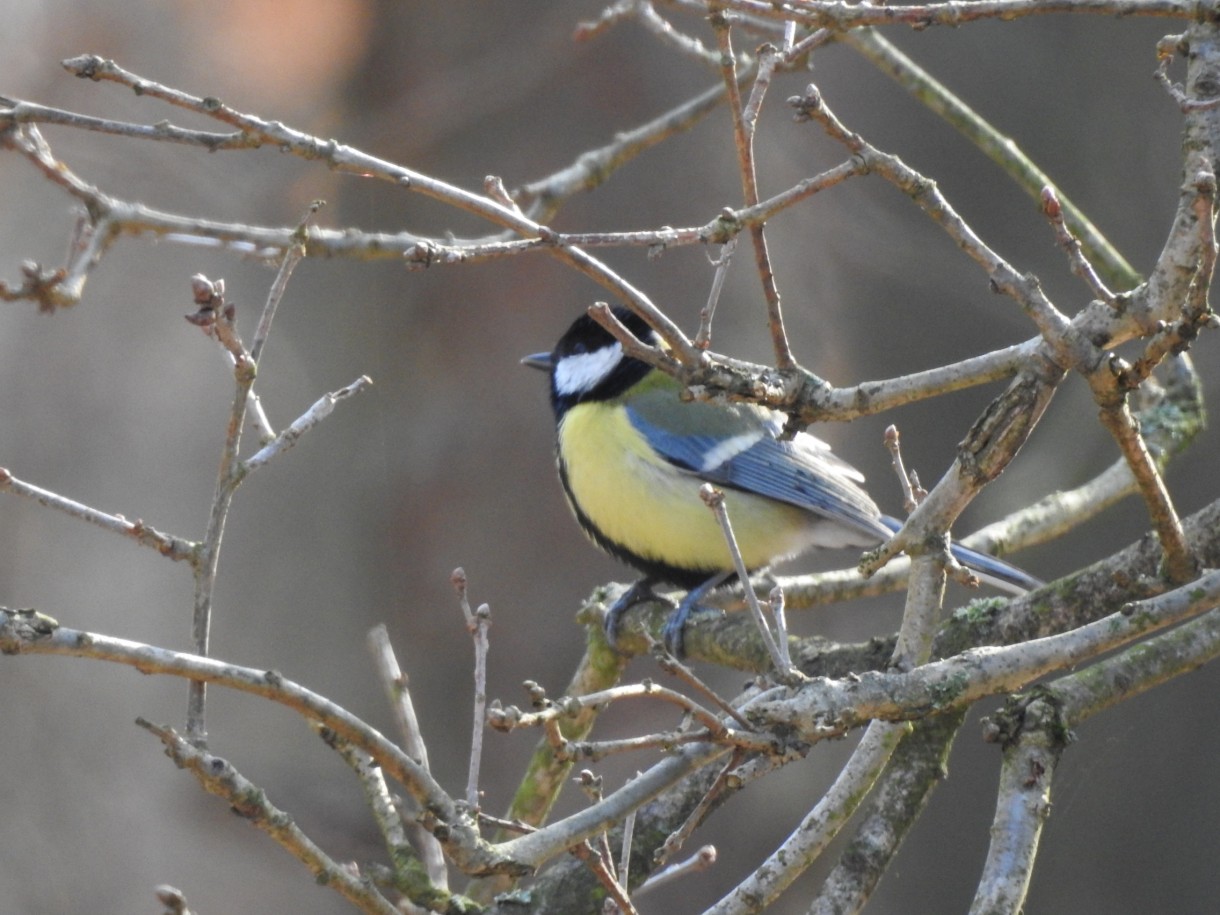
[[121, 404]]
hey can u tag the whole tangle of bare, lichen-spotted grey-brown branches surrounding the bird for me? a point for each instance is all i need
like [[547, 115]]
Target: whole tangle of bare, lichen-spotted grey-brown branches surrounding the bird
[[1112, 608]]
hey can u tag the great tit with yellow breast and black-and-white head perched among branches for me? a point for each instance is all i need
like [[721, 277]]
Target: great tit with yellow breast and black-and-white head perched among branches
[[633, 458]]
